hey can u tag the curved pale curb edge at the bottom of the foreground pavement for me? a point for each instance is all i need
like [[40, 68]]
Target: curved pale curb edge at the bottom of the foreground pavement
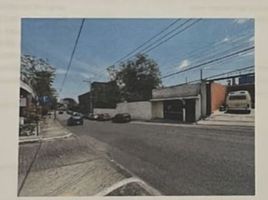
[[126, 181]]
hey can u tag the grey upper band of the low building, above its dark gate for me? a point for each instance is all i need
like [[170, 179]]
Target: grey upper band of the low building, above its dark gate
[[185, 90]]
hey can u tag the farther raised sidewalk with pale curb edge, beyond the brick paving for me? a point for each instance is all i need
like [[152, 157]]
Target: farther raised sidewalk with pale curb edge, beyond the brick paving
[[49, 129]]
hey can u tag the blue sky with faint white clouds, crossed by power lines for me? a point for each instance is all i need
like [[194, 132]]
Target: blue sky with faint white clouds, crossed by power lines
[[104, 41]]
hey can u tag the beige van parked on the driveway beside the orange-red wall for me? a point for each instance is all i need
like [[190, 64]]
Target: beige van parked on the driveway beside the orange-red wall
[[238, 101]]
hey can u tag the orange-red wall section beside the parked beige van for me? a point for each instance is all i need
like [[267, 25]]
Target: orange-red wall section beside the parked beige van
[[218, 93]]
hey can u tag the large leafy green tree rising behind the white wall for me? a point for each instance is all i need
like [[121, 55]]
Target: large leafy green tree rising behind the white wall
[[136, 78]]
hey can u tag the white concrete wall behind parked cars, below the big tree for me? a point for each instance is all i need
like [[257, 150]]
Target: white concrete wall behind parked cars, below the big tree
[[137, 110]]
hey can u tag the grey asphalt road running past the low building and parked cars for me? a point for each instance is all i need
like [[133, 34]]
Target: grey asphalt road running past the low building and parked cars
[[180, 160]]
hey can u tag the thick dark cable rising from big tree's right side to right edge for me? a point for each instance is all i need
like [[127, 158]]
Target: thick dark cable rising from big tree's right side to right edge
[[210, 61]]
